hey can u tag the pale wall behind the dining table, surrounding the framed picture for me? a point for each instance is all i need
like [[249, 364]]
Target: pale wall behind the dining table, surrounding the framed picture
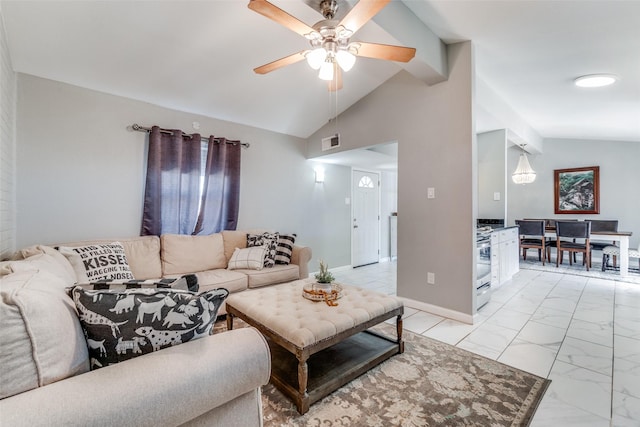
[[619, 164]]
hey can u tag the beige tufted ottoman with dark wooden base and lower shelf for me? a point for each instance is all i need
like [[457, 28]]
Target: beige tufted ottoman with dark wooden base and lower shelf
[[316, 348]]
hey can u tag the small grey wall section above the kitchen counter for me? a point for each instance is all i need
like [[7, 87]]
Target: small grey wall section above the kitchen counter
[[492, 173]]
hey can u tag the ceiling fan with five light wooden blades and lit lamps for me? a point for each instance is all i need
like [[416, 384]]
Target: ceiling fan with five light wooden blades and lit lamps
[[331, 50]]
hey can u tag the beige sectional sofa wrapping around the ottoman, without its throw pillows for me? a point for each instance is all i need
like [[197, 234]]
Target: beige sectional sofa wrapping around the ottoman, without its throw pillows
[[44, 362]]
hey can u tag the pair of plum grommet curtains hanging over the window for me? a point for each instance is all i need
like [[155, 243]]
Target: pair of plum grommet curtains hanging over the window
[[192, 187]]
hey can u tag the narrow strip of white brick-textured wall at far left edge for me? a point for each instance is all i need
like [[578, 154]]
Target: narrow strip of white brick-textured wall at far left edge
[[7, 149]]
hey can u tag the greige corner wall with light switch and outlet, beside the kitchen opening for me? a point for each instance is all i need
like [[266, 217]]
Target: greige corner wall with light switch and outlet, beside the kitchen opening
[[436, 148]]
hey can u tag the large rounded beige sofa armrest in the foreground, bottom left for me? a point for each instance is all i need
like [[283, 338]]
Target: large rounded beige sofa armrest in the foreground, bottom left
[[166, 387]]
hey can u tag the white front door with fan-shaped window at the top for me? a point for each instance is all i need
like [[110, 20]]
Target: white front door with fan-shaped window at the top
[[366, 218]]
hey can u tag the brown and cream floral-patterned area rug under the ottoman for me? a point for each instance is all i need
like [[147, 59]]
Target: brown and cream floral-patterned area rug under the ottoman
[[430, 384]]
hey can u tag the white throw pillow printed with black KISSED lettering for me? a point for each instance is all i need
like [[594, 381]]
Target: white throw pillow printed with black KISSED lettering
[[98, 262]]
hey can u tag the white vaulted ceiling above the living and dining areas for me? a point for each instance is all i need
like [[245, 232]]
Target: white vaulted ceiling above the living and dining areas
[[198, 56]]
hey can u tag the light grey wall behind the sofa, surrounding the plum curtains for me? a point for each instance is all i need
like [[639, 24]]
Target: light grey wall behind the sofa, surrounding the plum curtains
[[81, 171]]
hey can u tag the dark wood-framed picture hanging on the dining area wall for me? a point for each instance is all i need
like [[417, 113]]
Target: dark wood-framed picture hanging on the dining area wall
[[577, 190]]
